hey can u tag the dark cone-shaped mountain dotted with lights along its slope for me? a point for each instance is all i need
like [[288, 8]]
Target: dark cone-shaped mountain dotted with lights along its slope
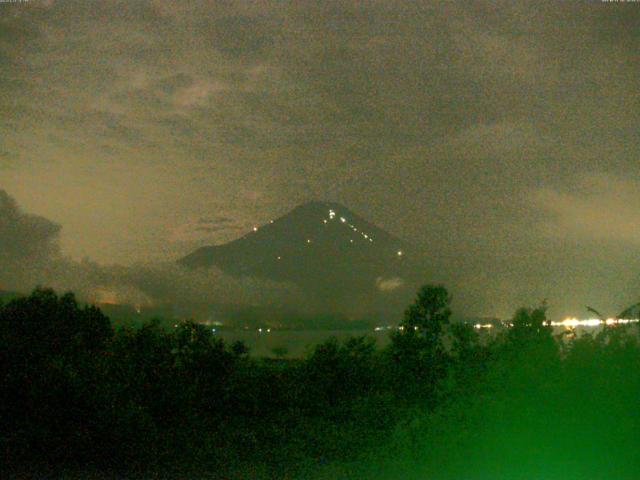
[[337, 257]]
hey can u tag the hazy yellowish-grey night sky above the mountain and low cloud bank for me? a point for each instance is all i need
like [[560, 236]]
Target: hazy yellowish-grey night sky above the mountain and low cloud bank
[[502, 137]]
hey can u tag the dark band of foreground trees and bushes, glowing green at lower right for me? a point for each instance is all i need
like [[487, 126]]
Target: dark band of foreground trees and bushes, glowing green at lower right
[[82, 400]]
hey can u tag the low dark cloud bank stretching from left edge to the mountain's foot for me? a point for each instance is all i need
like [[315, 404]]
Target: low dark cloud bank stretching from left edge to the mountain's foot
[[29, 256]]
